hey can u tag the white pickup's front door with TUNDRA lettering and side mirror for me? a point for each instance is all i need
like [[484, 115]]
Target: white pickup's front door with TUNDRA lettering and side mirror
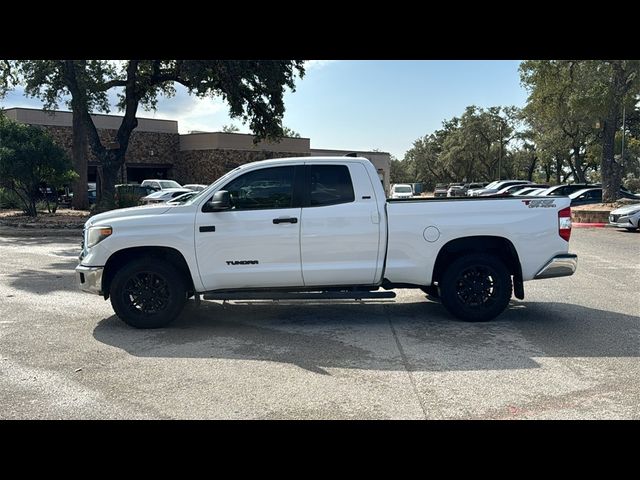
[[255, 244]]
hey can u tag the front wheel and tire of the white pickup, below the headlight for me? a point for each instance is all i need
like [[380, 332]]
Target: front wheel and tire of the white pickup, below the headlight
[[158, 288]]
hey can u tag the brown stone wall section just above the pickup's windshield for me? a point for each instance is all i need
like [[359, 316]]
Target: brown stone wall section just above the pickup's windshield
[[205, 166]]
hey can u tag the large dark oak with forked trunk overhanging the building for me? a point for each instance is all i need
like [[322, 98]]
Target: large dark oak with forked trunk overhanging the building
[[253, 89]]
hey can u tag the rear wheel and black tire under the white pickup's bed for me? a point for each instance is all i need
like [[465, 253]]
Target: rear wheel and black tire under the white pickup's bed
[[476, 288]]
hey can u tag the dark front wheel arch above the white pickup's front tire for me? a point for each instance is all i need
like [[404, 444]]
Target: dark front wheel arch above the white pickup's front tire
[[166, 254]]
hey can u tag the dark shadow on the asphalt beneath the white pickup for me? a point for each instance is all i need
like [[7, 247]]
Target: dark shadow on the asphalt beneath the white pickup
[[320, 337]]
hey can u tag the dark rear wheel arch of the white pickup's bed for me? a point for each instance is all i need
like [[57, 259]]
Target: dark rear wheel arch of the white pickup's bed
[[499, 246]]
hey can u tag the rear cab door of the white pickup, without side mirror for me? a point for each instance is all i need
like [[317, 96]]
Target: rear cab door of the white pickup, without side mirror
[[340, 236]]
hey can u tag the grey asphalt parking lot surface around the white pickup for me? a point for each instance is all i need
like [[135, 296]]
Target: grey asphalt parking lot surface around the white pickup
[[570, 350]]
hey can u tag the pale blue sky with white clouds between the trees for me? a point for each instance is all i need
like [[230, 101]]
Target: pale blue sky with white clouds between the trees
[[359, 104]]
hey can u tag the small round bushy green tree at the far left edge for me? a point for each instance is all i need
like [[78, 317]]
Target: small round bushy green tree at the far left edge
[[29, 161]]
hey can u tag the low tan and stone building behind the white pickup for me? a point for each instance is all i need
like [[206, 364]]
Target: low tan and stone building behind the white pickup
[[157, 150]]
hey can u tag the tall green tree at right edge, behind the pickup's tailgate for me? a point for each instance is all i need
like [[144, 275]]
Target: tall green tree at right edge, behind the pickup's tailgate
[[576, 106]]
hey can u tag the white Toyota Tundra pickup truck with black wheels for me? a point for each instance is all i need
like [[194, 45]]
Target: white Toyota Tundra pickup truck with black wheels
[[321, 228]]
